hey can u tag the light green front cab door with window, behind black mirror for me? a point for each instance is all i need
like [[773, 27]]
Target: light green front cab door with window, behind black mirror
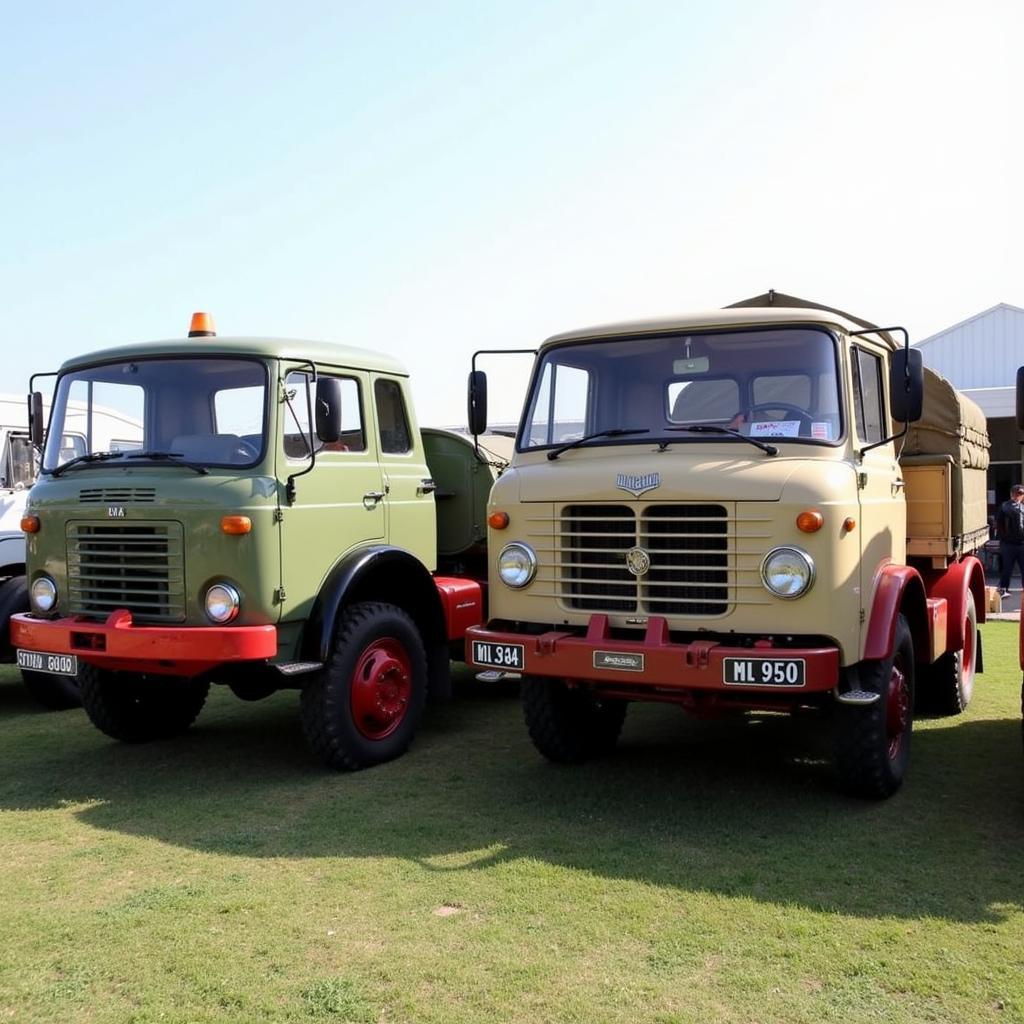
[[339, 504]]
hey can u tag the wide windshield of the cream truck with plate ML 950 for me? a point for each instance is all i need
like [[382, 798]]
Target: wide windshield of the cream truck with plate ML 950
[[776, 383]]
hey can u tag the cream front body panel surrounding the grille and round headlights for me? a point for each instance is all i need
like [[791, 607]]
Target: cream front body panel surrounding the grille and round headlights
[[762, 501]]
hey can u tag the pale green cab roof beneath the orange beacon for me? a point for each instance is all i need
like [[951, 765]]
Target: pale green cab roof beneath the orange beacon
[[325, 353]]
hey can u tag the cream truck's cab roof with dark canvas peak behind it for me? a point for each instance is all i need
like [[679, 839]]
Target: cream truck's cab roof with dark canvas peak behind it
[[770, 310]]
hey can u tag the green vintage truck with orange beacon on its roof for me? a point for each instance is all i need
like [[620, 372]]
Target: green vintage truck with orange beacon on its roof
[[269, 517]]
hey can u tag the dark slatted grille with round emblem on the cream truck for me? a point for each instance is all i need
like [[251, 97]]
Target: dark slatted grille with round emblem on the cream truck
[[690, 547]]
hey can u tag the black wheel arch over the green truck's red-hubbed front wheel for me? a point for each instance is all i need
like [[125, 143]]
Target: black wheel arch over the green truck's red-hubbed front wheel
[[380, 574]]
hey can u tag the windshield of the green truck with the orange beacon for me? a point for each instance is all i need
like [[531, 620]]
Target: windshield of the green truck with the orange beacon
[[210, 412]]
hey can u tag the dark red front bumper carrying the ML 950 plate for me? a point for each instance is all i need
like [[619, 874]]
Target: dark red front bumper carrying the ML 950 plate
[[658, 665]]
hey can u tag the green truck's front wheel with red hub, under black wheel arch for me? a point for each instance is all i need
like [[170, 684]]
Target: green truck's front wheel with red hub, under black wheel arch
[[363, 708]]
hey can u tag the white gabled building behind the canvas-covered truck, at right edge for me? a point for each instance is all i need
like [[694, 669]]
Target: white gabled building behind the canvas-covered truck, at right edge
[[980, 357]]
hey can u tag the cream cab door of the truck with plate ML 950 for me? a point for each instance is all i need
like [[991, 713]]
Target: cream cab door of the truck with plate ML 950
[[880, 481]]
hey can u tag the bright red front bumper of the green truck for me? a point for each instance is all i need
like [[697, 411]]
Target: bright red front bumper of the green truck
[[168, 651]]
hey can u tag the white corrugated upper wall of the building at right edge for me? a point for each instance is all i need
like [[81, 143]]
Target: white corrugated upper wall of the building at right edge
[[984, 352]]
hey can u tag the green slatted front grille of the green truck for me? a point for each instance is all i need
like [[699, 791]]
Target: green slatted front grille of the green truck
[[140, 568]]
